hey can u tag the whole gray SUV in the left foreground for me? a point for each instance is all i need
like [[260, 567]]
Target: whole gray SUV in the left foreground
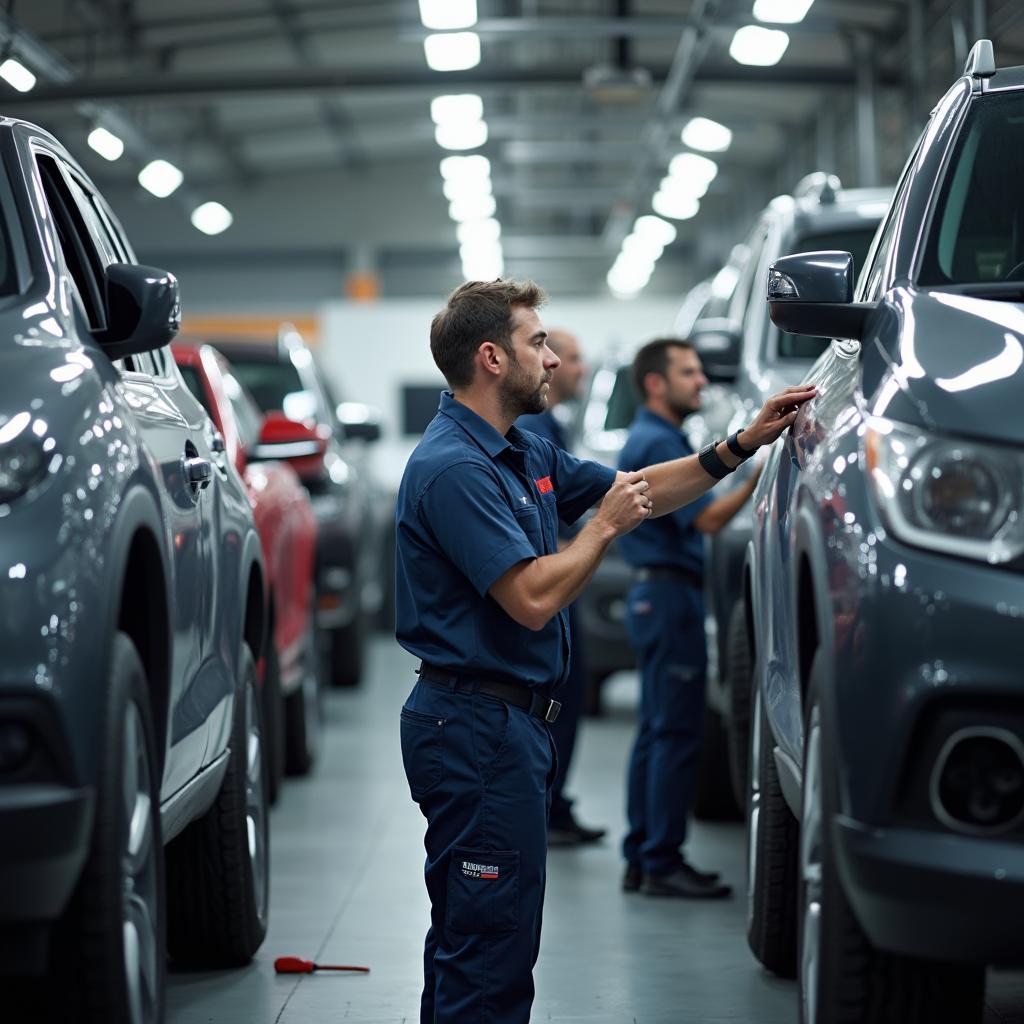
[[132, 589]]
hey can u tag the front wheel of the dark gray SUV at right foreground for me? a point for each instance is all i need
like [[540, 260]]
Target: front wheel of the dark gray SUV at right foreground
[[843, 978]]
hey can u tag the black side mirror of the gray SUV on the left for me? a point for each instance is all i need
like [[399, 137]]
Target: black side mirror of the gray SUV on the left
[[144, 310]]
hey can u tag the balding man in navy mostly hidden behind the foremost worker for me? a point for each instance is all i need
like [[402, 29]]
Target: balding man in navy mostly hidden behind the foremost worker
[[567, 381]]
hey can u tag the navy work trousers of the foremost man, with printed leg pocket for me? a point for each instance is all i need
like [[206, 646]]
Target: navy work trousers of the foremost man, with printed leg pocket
[[481, 772]]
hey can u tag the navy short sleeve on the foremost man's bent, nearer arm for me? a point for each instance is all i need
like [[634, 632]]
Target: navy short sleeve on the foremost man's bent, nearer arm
[[473, 525]]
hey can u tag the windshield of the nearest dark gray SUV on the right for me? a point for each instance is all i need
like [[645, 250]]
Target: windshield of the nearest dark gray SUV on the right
[[977, 234]]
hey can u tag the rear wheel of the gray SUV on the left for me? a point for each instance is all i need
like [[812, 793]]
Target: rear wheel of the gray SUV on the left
[[219, 869]]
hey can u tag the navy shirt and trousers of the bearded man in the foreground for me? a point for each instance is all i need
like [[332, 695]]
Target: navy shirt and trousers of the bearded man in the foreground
[[473, 504]]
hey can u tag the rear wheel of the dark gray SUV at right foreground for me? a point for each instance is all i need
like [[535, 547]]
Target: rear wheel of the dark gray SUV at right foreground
[[773, 847]]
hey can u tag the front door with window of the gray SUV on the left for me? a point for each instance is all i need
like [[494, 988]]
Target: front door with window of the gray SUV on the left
[[170, 440]]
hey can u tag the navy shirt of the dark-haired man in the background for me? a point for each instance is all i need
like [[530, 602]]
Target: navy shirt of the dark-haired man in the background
[[669, 540]]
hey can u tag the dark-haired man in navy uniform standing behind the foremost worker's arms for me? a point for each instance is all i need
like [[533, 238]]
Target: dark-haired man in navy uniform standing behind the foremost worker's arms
[[665, 618]]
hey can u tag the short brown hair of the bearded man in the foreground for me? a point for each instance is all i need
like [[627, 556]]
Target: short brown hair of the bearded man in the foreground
[[476, 313]]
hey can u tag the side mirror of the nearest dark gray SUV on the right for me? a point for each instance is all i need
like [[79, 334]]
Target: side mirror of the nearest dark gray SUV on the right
[[813, 293]]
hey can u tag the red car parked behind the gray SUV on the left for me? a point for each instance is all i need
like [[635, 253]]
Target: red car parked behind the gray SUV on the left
[[287, 530]]
